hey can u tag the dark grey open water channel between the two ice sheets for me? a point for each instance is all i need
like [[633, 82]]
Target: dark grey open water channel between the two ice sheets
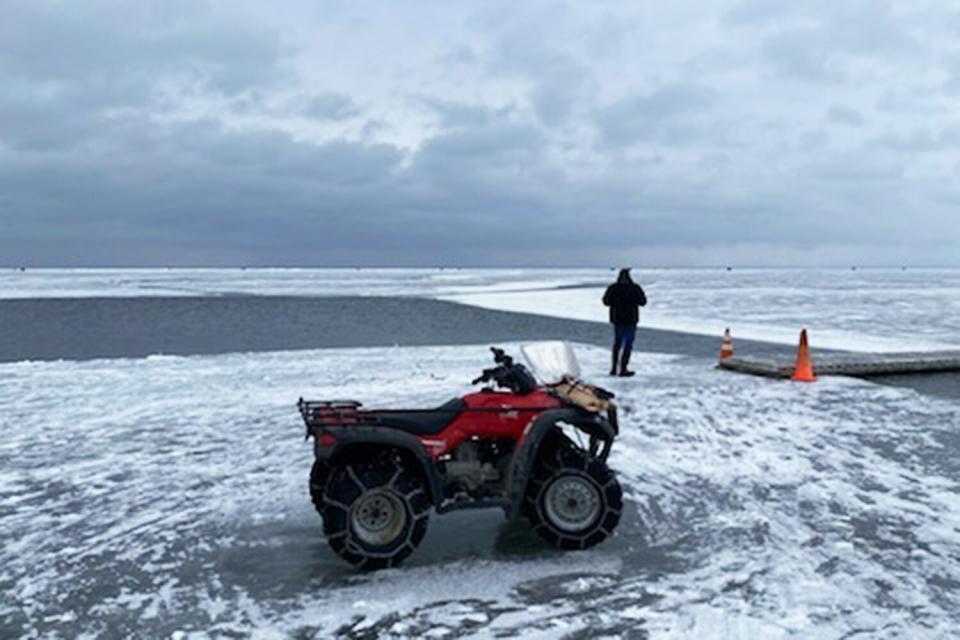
[[87, 328]]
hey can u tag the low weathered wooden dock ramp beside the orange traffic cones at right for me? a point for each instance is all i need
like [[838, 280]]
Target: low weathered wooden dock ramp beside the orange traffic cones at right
[[861, 365]]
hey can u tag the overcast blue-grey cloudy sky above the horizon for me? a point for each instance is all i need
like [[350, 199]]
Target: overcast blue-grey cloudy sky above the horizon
[[485, 133]]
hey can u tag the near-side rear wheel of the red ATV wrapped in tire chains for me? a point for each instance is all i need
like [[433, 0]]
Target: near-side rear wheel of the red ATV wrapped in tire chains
[[374, 514]]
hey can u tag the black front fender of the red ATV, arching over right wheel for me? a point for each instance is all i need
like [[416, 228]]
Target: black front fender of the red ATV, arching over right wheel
[[525, 455]]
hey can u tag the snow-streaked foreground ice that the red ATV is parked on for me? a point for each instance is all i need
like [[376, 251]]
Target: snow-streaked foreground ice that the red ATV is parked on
[[167, 497]]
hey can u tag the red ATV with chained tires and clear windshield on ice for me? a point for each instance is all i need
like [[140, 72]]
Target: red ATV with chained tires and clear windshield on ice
[[539, 450]]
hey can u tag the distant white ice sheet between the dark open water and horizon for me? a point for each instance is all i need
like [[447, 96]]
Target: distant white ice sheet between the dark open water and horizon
[[867, 309]]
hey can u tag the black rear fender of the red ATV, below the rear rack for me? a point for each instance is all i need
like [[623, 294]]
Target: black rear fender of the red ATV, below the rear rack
[[350, 440]]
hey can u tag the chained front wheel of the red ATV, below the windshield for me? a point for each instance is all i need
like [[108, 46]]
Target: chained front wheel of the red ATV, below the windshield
[[573, 501]]
